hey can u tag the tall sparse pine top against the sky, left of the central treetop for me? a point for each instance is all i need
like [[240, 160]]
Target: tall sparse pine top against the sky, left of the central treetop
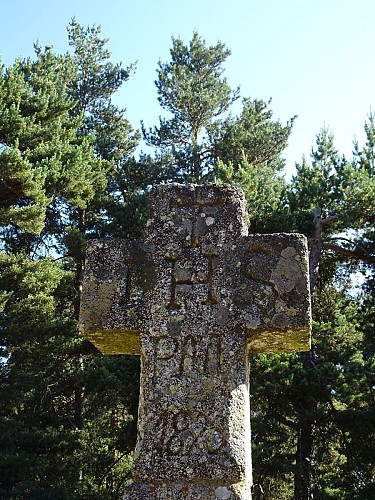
[[93, 81]]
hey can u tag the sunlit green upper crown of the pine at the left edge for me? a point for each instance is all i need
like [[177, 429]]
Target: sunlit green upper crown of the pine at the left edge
[[38, 140]]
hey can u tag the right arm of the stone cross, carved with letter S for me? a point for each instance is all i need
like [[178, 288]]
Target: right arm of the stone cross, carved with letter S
[[273, 293]]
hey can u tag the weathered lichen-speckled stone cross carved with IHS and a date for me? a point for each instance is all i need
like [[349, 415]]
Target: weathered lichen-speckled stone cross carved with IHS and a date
[[194, 298]]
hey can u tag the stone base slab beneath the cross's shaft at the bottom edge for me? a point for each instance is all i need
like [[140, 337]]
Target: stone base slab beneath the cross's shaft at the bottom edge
[[187, 491]]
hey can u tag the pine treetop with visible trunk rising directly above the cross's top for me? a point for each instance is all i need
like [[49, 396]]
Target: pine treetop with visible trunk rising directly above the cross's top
[[192, 88]]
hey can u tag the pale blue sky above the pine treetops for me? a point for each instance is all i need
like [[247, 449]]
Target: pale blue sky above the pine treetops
[[315, 58]]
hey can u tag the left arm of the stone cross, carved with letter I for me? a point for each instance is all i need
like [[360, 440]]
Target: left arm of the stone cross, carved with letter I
[[117, 274]]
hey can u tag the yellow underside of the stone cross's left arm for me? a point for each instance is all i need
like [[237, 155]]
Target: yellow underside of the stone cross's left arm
[[115, 341]]
